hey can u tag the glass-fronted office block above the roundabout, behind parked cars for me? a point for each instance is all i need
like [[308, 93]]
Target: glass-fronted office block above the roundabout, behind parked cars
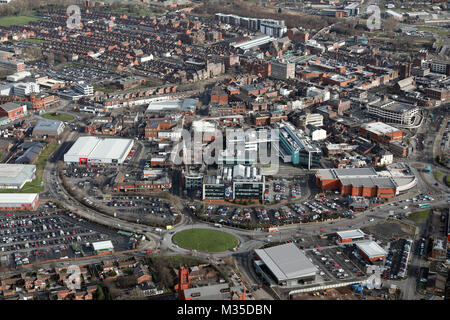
[[239, 182]]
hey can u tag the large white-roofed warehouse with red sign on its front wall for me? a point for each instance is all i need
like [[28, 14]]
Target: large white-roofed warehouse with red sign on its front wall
[[94, 150]]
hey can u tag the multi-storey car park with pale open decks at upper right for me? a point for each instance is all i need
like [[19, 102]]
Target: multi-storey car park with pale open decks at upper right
[[390, 111]]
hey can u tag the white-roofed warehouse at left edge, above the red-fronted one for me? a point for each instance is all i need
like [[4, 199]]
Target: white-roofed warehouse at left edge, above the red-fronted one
[[14, 176]]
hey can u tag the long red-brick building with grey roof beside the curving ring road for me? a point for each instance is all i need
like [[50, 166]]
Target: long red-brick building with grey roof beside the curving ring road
[[363, 182]]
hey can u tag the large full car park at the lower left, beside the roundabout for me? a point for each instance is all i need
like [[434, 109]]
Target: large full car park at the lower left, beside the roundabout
[[50, 234]]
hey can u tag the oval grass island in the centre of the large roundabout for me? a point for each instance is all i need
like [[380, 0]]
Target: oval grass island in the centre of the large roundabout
[[205, 240]]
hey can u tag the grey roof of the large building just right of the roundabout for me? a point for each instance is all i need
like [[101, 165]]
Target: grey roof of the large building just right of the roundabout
[[286, 261]]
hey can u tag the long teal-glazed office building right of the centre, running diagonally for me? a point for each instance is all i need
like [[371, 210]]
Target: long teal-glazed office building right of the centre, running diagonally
[[296, 147]]
